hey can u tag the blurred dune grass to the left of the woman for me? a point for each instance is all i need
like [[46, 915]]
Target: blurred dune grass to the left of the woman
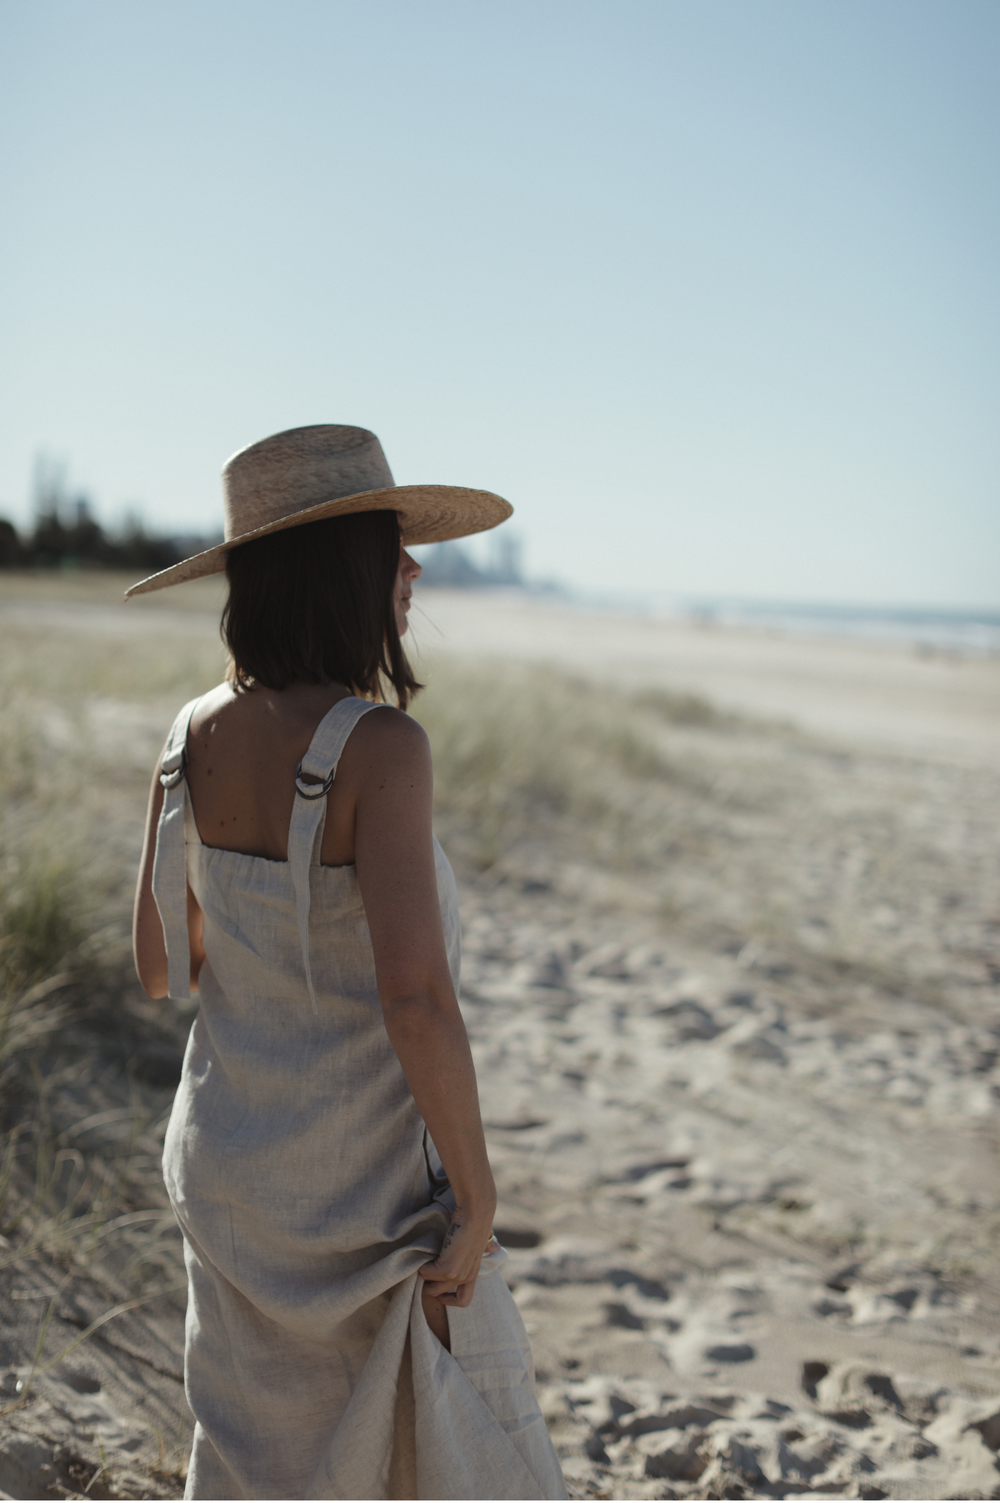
[[85, 713]]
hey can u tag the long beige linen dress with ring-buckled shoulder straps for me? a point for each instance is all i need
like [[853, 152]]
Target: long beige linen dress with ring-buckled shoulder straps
[[309, 1194]]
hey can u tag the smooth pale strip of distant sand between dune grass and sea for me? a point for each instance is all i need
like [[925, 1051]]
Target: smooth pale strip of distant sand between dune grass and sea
[[905, 697]]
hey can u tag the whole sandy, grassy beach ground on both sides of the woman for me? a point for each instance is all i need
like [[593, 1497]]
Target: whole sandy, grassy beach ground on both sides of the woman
[[732, 916]]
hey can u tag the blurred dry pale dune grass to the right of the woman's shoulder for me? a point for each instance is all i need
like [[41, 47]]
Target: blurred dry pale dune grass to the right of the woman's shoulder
[[843, 866]]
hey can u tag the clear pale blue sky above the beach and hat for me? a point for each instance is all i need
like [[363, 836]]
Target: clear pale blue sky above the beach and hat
[[709, 289]]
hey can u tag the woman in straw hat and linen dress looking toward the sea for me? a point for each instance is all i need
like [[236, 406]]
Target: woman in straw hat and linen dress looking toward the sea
[[350, 1334]]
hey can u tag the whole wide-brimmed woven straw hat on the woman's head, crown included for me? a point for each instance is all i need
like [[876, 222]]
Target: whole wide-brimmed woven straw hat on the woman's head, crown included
[[327, 471]]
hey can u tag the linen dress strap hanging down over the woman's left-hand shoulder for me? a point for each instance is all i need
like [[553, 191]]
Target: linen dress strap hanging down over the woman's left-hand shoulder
[[171, 875]]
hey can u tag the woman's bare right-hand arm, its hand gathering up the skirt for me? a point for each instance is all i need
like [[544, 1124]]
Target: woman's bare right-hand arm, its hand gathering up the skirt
[[390, 767]]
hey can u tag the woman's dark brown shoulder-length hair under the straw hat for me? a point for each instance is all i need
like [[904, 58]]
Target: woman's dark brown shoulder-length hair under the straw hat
[[314, 605]]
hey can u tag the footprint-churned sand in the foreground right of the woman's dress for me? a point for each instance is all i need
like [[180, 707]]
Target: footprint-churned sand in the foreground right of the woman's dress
[[741, 1284]]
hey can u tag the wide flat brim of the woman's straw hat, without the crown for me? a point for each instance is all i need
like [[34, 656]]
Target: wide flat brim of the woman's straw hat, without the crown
[[428, 515]]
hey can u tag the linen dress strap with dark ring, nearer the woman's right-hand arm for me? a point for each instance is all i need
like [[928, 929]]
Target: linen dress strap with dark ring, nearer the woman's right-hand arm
[[309, 815]]
